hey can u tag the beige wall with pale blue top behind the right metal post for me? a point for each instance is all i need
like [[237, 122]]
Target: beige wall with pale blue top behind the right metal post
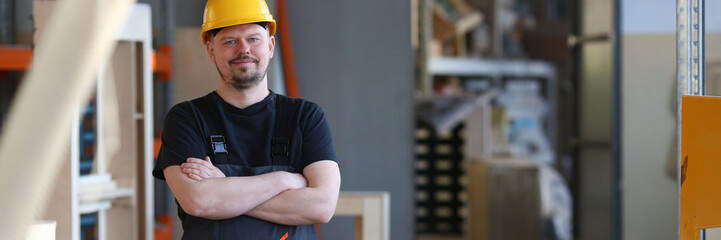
[[650, 198]]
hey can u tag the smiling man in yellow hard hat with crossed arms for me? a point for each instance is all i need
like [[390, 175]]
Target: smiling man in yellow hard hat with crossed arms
[[242, 161]]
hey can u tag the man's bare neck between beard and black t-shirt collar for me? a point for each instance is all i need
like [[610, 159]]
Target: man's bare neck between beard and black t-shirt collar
[[245, 97]]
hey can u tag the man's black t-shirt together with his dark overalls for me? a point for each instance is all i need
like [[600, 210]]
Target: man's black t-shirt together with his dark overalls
[[247, 134]]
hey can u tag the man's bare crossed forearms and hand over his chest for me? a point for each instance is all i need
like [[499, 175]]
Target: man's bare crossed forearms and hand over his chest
[[280, 197]]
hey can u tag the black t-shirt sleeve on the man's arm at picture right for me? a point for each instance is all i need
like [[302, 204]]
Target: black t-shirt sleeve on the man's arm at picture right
[[317, 137]]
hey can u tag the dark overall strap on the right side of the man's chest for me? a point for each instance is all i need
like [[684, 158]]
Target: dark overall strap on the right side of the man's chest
[[280, 143]]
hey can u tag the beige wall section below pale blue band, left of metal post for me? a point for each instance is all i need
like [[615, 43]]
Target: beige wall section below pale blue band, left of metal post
[[648, 136]]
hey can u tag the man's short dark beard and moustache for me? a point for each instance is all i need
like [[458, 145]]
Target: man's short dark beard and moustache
[[244, 77]]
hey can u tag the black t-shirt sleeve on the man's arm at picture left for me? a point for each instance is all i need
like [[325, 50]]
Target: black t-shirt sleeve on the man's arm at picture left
[[182, 138]]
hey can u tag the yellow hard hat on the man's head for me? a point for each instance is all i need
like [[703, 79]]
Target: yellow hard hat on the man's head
[[224, 13]]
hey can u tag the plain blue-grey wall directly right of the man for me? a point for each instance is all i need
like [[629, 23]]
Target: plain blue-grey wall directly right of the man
[[354, 58]]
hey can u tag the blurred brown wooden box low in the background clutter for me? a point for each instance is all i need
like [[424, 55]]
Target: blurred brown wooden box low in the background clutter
[[504, 200]]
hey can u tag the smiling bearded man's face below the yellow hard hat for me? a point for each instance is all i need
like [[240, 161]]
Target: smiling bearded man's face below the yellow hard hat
[[241, 54]]
